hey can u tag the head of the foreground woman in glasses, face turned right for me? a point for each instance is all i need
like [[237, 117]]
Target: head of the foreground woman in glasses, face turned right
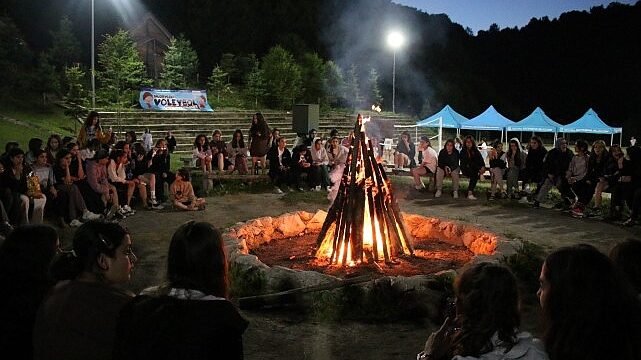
[[101, 253]]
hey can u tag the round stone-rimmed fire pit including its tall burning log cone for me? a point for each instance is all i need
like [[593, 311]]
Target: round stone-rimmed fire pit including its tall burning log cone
[[363, 233]]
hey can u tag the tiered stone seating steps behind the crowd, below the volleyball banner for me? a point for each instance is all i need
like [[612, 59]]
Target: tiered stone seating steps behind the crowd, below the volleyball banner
[[187, 125]]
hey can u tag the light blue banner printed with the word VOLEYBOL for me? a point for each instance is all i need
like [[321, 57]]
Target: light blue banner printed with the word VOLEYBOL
[[175, 100]]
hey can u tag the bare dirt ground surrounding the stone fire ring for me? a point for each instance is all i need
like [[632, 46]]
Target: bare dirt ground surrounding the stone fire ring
[[286, 335]]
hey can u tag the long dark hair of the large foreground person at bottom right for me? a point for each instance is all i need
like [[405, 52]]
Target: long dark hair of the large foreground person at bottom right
[[589, 311]]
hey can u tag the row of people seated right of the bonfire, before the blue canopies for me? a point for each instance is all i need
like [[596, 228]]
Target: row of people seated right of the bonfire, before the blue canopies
[[528, 173]]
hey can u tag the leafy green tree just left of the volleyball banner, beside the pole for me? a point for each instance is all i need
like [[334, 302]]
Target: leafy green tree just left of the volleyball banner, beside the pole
[[122, 71]]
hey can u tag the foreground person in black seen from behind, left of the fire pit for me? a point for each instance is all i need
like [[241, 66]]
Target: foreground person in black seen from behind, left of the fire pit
[[189, 317]]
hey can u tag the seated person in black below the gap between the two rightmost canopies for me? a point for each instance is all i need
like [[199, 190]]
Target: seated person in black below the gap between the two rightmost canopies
[[555, 166]]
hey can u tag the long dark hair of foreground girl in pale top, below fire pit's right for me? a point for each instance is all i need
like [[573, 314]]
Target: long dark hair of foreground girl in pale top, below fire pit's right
[[487, 302]]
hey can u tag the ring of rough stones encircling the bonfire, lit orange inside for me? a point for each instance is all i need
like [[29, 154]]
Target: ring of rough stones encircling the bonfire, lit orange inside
[[244, 236]]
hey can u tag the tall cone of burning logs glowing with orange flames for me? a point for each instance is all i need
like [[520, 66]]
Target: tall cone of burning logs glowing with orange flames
[[364, 222]]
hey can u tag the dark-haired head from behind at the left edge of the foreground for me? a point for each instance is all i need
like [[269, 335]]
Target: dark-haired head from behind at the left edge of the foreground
[[26, 255]]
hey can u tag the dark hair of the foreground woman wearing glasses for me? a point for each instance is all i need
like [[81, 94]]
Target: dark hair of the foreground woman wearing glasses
[[90, 240]]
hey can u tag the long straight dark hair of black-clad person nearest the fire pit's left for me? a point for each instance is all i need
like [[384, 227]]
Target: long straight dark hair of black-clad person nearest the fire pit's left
[[197, 260]]
